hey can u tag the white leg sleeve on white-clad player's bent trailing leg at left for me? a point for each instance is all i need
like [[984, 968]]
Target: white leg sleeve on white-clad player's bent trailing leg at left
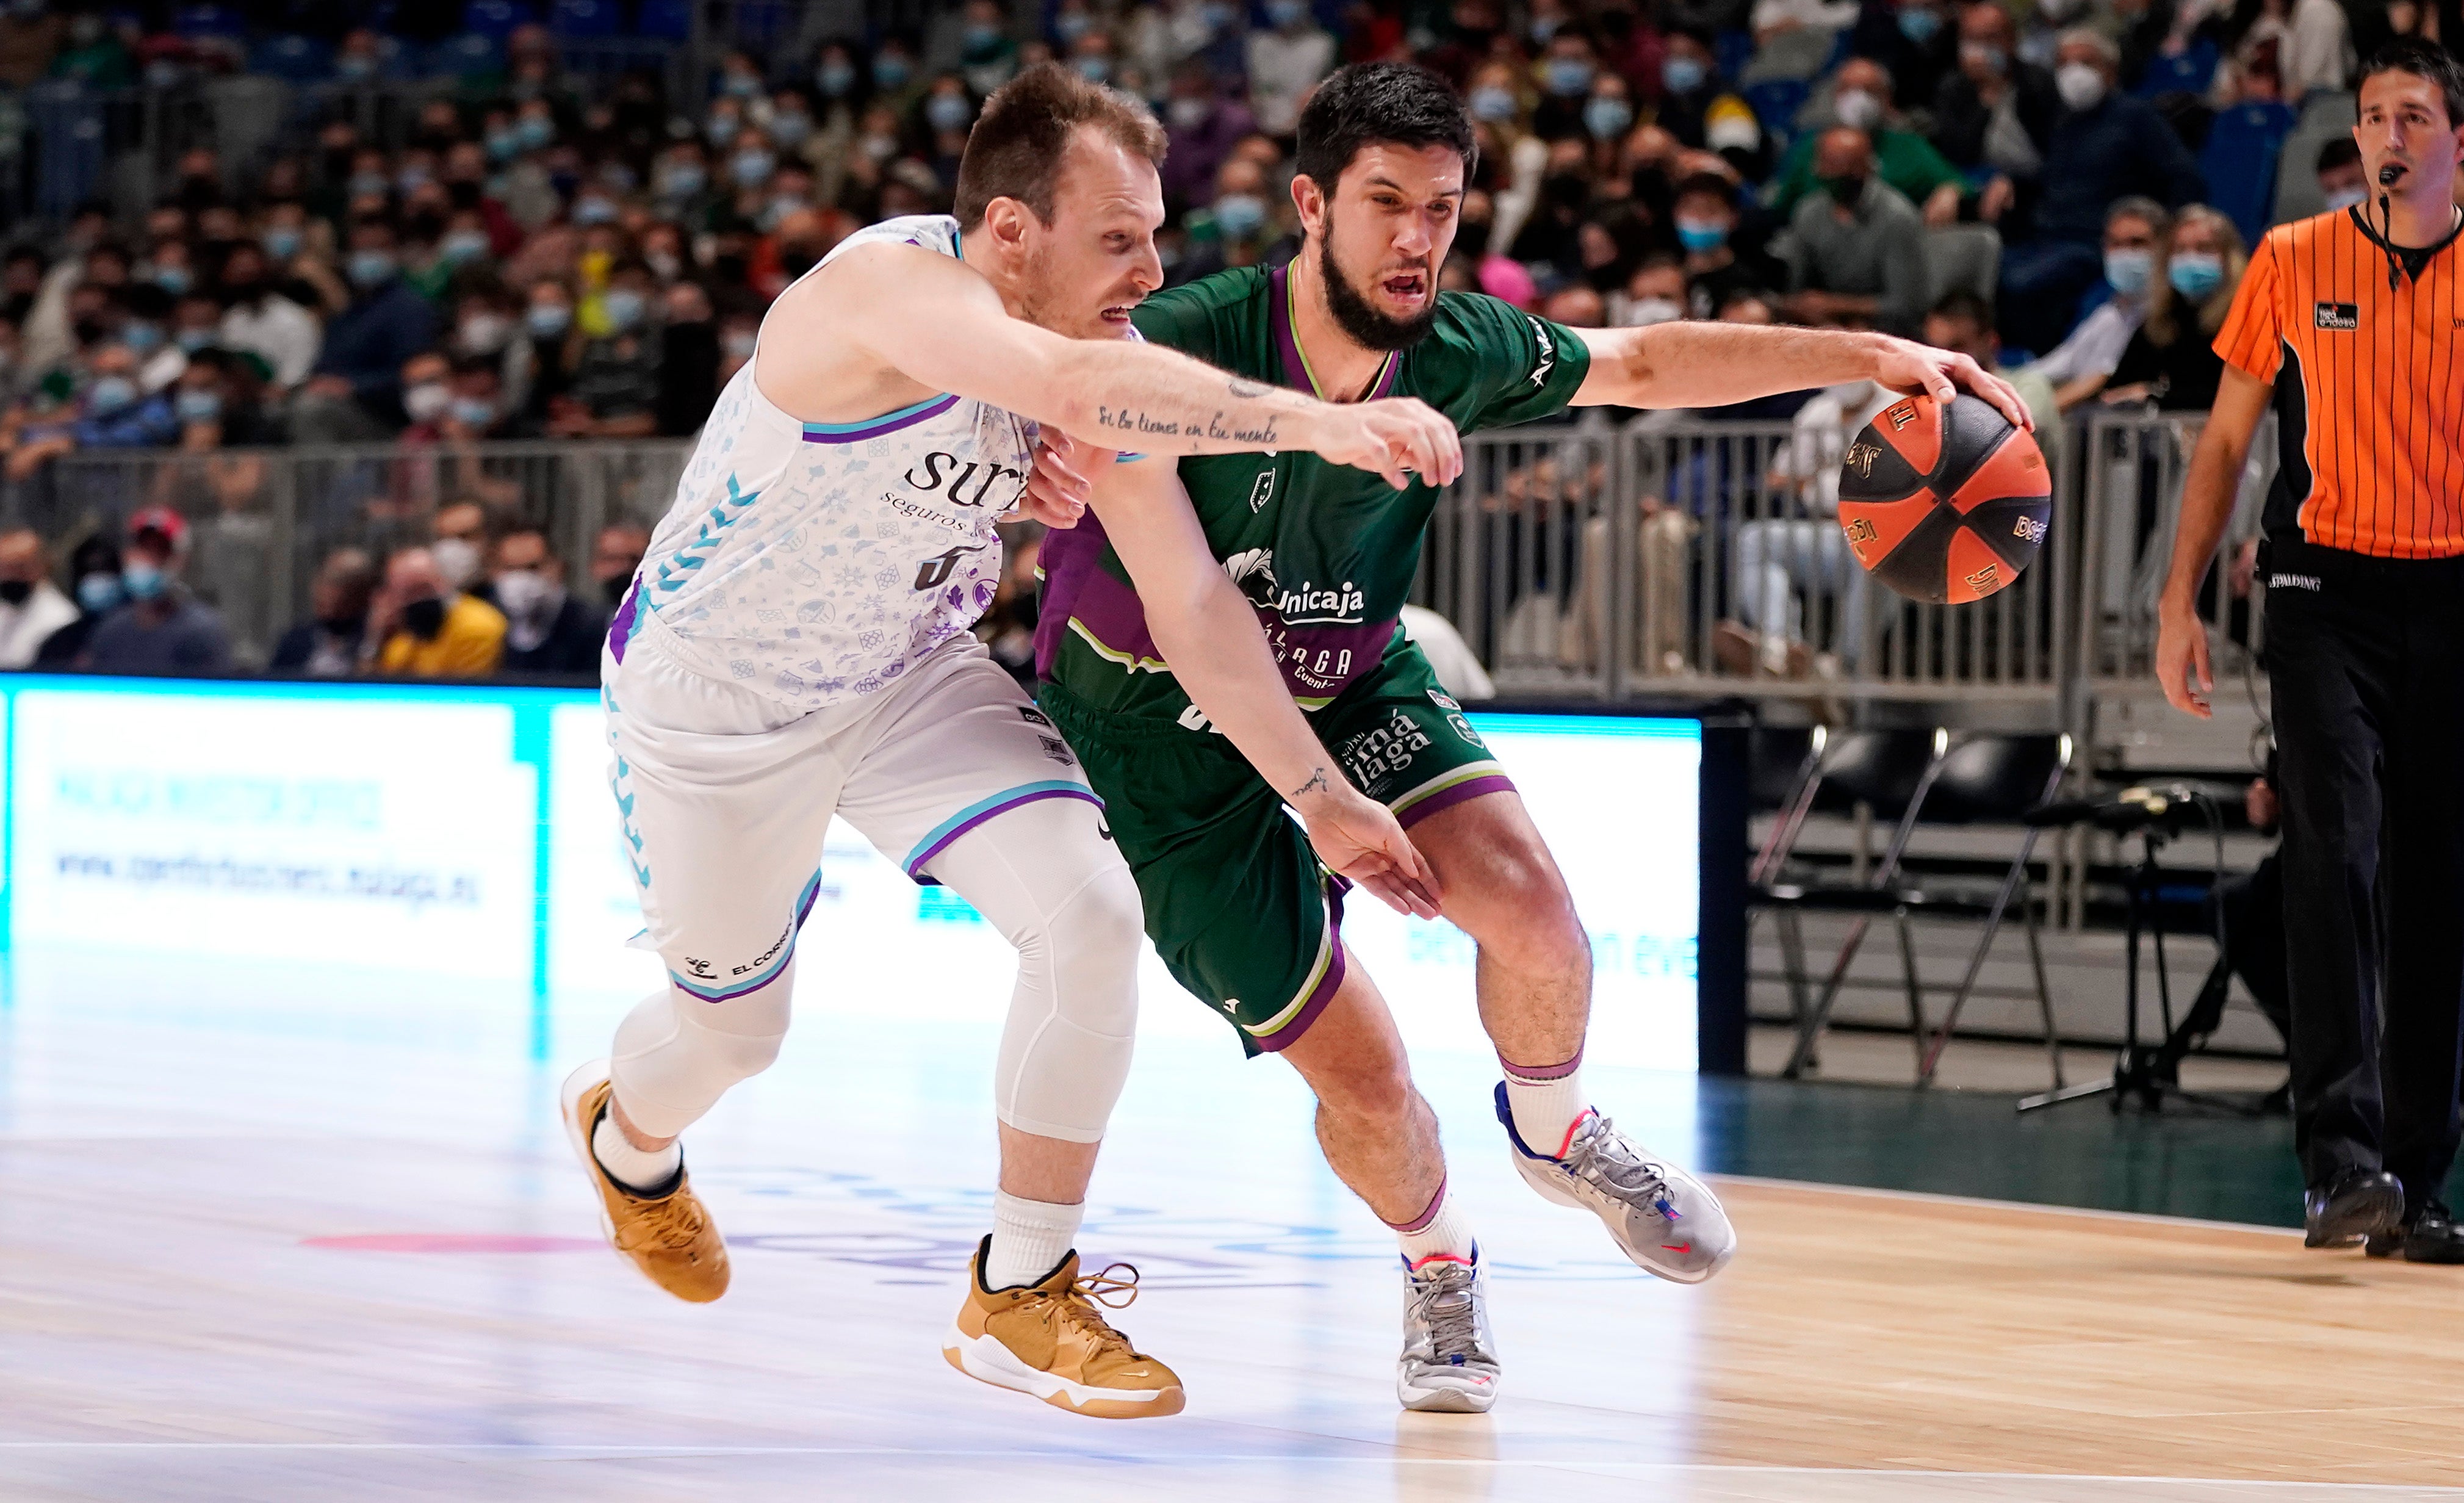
[[676, 1056]]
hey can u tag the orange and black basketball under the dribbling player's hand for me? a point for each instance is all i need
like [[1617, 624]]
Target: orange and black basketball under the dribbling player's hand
[[1945, 504]]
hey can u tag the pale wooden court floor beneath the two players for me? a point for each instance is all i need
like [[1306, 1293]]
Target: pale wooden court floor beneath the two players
[[262, 1253]]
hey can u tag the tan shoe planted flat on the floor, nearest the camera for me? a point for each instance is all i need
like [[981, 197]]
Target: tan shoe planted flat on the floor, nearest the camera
[[1053, 1342]]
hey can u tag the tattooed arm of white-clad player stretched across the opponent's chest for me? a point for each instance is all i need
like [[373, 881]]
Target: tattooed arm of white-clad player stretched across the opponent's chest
[[940, 324]]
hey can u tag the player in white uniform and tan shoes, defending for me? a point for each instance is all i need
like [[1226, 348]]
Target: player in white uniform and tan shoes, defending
[[797, 647]]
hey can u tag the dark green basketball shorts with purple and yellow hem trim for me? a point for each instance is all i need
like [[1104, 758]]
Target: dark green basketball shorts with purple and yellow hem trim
[[1236, 898]]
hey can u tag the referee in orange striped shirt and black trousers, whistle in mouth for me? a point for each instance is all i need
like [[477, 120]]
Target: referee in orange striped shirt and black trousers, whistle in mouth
[[2352, 324]]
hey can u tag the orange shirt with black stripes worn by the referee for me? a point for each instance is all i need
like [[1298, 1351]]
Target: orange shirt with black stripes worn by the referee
[[2369, 386]]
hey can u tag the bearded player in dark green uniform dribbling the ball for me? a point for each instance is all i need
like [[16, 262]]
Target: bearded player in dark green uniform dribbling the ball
[[1236, 901]]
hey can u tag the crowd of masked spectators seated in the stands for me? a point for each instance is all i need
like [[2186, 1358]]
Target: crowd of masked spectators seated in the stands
[[548, 255]]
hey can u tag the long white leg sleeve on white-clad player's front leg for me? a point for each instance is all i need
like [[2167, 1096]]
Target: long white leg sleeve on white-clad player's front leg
[[1066, 898]]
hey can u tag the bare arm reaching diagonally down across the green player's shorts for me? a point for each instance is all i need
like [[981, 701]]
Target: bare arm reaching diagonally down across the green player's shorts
[[1218, 652]]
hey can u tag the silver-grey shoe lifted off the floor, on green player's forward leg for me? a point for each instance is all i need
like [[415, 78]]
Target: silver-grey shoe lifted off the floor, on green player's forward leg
[[1664, 1218]]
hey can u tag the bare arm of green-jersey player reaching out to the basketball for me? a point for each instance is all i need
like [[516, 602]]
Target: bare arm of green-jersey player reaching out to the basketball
[[1716, 363]]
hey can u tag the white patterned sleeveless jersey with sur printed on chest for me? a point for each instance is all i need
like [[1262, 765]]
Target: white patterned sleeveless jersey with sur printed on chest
[[819, 563]]
